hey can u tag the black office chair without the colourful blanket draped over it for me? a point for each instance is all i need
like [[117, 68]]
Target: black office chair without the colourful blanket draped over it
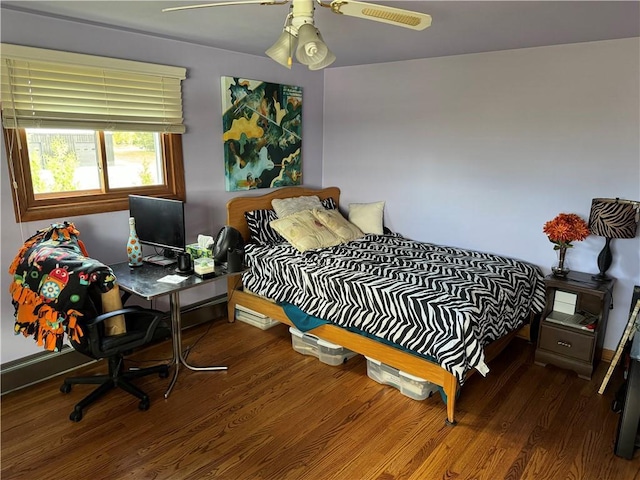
[[142, 326]]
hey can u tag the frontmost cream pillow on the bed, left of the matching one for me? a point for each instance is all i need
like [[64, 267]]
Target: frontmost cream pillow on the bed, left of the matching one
[[304, 231]]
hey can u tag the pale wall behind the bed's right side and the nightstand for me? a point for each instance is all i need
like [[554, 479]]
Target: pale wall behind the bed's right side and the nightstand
[[481, 150]]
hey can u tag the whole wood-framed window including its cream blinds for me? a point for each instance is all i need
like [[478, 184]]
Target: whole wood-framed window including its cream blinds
[[83, 132]]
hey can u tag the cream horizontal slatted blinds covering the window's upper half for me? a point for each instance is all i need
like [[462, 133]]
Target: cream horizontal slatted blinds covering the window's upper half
[[53, 89]]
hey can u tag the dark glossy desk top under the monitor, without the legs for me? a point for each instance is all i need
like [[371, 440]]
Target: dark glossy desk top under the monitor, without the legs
[[143, 281]]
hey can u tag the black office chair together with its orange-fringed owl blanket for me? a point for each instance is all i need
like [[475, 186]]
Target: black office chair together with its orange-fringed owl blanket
[[54, 280]]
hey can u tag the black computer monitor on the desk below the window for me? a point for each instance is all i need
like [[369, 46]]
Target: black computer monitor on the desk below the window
[[159, 222]]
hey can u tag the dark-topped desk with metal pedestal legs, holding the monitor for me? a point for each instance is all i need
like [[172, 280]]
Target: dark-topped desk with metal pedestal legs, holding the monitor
[[143, 282]]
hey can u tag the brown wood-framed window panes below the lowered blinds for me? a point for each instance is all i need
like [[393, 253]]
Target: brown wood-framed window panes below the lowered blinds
[[58, 173]]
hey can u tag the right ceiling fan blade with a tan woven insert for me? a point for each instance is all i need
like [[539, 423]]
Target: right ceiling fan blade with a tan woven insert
[[382, 13]]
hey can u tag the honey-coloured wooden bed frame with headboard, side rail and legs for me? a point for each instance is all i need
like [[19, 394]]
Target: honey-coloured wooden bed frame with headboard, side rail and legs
[[389, 355]]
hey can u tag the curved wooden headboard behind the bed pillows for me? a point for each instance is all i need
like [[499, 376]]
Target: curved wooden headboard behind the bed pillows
[[238, 205]]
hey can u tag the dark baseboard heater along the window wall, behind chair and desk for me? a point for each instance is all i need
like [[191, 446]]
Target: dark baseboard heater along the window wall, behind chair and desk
[[42, 366]]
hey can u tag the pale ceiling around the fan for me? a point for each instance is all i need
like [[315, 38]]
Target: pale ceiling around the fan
[[458, 27]]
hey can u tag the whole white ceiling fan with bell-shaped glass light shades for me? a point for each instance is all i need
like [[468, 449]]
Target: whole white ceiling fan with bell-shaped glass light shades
[[299, 26]]
